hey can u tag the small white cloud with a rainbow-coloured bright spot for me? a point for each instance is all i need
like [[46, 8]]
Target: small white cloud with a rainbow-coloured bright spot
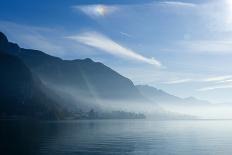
[[97, 10]]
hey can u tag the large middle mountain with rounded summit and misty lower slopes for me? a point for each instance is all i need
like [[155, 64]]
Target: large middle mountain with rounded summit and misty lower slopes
[[77, 85]]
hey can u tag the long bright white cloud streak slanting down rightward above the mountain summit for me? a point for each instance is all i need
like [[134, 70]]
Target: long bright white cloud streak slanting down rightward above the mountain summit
[[99, 41]]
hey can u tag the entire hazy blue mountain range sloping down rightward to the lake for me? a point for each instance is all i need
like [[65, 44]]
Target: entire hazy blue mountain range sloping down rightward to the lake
[[36, 84]]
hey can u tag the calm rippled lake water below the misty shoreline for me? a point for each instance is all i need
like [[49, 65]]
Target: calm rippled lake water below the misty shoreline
[[105, 137]]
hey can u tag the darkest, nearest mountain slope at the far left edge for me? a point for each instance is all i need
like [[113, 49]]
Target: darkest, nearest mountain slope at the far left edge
[[21, 92]]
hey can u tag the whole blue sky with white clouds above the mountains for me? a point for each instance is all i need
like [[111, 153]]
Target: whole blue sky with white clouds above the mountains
[[183, 47]]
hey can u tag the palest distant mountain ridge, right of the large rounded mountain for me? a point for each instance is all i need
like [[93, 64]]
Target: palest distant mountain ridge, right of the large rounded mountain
[[163, 98]]
